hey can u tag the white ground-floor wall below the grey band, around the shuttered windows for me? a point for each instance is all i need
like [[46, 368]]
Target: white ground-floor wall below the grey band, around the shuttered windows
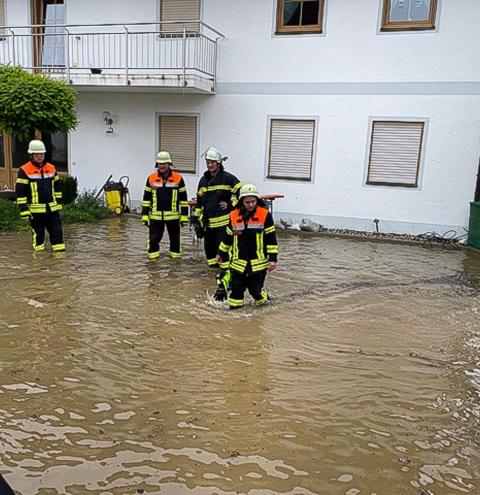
[[338, 195]]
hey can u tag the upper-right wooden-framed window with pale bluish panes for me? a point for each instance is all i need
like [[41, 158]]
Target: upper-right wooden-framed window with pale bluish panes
[[404, 15]]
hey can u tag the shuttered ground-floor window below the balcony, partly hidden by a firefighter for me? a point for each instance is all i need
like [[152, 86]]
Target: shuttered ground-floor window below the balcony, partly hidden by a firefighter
[[178, 136]]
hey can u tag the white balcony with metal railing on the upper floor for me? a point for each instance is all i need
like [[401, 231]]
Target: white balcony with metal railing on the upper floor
[[176, 57]]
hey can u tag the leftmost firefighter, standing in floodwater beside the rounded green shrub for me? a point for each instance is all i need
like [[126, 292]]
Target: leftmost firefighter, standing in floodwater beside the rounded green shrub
[[38, 195]]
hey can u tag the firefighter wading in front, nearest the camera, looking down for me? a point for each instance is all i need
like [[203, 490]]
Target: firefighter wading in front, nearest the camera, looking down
[[250, 238]]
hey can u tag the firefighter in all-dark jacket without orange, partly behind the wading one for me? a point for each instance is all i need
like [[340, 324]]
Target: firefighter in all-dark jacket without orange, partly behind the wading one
[[215, 199]]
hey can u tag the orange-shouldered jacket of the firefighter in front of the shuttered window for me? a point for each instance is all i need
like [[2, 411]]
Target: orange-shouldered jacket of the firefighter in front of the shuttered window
[[165, 199]]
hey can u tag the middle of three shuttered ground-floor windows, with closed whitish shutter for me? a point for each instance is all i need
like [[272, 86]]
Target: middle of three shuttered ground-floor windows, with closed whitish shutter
[[291, 149]]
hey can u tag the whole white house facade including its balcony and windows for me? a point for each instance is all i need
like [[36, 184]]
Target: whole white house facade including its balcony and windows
[[354, 111]]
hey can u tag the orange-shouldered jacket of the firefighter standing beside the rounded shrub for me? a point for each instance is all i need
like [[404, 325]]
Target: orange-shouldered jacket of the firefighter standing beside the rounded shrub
[[38, 189]]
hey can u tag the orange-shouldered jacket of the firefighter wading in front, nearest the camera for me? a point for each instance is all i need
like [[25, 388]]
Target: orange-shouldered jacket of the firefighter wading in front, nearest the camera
[[250, 240]]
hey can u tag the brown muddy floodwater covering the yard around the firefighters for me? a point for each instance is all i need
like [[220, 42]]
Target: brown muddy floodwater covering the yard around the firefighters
[[120, 376]]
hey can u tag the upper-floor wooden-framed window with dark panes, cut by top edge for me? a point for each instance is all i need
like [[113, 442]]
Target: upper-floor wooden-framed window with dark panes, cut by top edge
[[299, 16]]
